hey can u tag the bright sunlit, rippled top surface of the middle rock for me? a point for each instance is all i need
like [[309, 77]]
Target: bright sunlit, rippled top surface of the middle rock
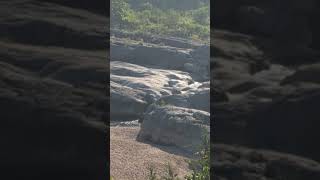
[[154, 82]]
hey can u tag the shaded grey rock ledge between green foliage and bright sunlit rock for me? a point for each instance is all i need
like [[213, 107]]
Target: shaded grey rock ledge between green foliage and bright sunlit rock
[[195, 62]]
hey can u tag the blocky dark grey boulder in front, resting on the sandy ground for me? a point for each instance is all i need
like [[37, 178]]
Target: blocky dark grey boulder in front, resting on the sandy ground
[[170, 125]]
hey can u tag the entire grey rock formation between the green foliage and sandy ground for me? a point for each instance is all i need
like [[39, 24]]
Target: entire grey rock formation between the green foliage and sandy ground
[[165, 87]]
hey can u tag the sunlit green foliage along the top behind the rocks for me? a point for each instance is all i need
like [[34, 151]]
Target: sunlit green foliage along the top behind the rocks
[[148, 17]]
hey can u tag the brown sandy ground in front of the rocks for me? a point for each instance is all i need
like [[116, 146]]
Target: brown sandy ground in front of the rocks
[[130, 159]]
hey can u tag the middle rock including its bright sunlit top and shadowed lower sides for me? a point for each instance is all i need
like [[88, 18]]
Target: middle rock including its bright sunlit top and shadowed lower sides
[[133, 87]]
